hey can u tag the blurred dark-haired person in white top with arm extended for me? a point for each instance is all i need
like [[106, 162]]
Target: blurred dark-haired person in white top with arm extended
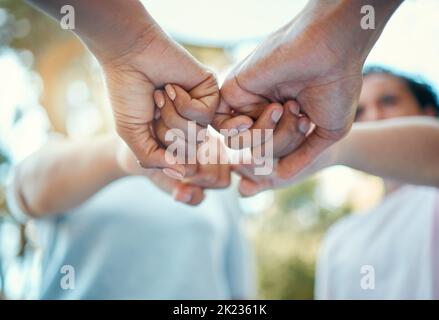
[[391, 251]]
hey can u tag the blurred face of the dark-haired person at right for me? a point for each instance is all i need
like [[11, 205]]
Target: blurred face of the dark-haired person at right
[[384, 97]]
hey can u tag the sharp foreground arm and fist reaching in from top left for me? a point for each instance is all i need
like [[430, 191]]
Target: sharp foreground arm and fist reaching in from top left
[[137, 58]]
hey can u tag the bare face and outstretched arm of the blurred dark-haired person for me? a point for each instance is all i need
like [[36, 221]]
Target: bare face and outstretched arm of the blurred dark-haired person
[[402, 137]]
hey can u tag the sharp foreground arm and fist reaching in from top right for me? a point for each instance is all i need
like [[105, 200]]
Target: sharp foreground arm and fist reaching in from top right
[[315, 60]]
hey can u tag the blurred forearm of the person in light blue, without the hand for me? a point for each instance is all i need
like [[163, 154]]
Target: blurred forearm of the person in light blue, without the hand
[[64, 174]]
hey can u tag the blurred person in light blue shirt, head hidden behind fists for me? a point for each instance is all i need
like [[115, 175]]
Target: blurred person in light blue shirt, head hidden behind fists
[[101, 214]]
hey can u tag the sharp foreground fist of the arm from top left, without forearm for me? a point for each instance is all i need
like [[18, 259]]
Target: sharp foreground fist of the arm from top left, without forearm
[[132, 79]]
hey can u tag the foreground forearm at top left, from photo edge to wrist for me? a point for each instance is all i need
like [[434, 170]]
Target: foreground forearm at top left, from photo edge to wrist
[[108, 27]]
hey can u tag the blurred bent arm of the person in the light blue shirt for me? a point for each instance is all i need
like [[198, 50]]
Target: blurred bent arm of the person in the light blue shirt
[[64, 174]]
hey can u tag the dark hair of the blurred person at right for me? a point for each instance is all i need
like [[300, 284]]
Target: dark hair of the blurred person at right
[[422, 91]]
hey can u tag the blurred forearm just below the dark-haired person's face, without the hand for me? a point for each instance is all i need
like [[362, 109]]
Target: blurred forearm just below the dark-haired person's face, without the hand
[[406, 150]]
